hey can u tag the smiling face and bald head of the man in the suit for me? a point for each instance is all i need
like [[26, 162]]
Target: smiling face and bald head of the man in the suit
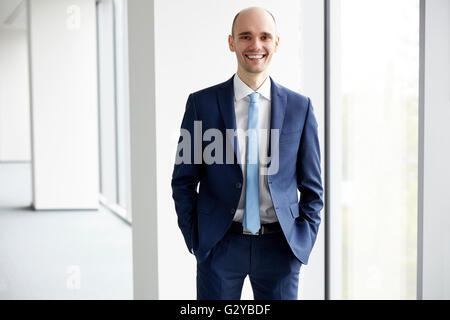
[[254, 40]]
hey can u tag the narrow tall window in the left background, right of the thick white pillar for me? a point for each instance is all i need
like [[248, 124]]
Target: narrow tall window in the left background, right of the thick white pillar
[[113, 107]]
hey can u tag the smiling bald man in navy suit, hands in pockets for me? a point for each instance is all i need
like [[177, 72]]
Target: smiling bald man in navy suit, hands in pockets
[[244, 219]]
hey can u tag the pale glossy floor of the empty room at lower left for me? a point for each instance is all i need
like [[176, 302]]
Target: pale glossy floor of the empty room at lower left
[[59, 254]]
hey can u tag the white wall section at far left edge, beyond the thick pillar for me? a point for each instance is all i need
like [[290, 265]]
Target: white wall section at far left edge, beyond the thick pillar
[[14, 96]]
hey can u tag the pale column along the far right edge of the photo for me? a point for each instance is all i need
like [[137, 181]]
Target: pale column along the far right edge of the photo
[[434, 142]]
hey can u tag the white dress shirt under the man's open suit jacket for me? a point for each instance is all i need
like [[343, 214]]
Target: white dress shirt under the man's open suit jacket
[[241, 105]]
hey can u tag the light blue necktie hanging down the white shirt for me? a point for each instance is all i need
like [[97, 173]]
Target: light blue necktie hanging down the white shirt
[[251, 215]]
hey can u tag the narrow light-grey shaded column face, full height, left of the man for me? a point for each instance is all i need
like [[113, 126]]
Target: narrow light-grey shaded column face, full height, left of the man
[[141, 53]]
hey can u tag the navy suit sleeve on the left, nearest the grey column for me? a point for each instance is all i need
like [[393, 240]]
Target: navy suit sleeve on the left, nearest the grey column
[[185, 178]]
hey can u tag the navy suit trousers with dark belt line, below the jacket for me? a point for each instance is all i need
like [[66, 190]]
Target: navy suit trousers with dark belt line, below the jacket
[[267, 259]]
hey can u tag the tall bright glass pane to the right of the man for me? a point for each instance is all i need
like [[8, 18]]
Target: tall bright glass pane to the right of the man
[[379, 50]]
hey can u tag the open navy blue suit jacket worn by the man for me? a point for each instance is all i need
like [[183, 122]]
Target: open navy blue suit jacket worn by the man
[[206, 195]]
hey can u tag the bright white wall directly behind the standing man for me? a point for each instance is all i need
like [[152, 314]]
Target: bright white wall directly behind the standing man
[[192, 53]]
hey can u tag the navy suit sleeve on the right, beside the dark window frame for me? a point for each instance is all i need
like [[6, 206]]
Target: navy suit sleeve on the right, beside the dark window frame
[[309, 181]]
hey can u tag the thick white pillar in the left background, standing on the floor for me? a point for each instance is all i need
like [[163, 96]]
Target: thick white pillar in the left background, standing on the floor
[[63, 86]]
